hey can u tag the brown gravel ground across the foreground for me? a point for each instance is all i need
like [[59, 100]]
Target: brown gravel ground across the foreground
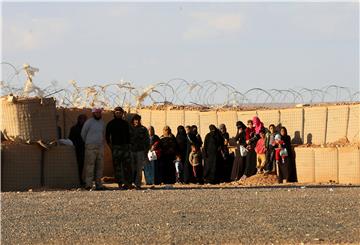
[[173, 215]]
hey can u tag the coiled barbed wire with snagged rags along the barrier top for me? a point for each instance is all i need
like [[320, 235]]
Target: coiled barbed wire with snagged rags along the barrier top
[[177, 92]]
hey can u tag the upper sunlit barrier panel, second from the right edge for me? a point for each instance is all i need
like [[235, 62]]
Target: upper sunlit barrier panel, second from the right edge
[[336, 123]]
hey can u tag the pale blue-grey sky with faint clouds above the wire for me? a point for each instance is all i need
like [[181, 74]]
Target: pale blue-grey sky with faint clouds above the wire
[[268, 45]]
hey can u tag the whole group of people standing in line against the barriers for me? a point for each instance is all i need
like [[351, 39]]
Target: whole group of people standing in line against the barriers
[[184, 158]]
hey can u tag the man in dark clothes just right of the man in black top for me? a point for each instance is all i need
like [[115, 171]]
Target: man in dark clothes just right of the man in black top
[[140, 144]]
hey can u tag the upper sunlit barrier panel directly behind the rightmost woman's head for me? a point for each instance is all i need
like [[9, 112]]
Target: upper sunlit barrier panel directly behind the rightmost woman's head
[[293, 120]]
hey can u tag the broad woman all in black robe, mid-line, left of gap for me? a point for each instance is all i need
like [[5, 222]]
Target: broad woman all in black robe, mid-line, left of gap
[[212, 154]]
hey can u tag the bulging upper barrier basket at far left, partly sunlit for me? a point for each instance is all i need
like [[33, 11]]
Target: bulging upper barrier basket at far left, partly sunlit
[[29, 119]]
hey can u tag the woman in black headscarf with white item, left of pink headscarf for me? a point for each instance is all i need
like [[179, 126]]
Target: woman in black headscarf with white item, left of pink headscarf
[[239, 162]]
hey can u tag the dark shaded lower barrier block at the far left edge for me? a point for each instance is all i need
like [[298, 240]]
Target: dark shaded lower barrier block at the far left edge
[[21, 167]]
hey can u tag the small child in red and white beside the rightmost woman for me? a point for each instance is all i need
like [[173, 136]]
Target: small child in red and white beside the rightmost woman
[[280, 156]]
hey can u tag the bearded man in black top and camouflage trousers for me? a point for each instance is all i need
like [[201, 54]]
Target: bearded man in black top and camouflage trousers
[[118, 138]]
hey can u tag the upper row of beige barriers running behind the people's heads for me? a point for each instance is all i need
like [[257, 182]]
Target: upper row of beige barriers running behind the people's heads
[[317, 125]]
